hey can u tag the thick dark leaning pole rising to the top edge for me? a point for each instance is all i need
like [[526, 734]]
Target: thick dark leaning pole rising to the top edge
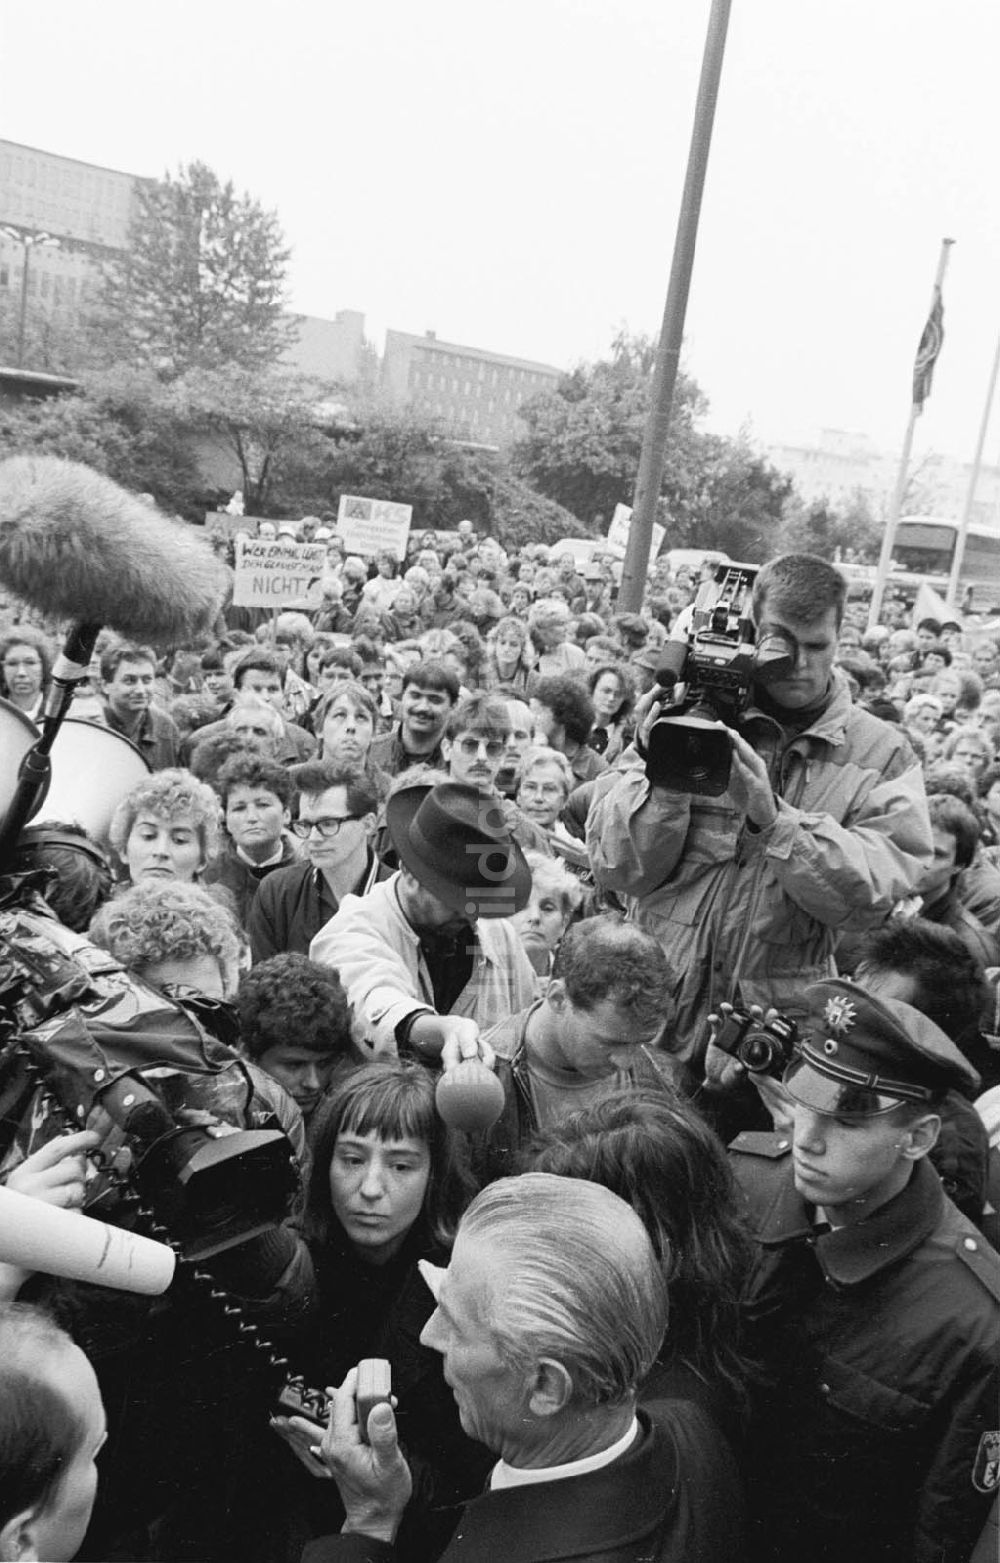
[[654, 452]]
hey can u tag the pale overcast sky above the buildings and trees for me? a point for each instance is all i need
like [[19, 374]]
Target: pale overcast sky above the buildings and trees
[[510, 174]]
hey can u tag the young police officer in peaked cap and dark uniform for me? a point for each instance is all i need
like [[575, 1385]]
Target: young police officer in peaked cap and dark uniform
[[874, 1304]]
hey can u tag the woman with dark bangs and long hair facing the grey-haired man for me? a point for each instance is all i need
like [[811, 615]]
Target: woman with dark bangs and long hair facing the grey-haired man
[[388, 1189]]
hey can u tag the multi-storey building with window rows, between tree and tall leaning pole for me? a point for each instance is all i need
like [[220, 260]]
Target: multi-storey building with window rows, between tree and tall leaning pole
[[474, 396]]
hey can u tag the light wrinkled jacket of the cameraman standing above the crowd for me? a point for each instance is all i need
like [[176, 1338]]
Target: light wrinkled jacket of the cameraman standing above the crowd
[[757, 914]]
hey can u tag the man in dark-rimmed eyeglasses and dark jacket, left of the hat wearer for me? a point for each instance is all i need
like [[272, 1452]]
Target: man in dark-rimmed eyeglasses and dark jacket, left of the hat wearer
[[337, 826]]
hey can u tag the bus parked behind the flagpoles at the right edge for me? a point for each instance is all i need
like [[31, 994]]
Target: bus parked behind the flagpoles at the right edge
[[924, 551]]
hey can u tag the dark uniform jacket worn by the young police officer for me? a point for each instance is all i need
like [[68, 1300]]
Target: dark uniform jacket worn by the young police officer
[[876, 1439]]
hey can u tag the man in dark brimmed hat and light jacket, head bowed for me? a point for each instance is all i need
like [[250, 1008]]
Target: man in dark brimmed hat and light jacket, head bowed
[[429, 957]]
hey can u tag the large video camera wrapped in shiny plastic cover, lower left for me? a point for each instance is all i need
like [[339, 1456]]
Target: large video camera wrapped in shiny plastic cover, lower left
[[95, 1037]]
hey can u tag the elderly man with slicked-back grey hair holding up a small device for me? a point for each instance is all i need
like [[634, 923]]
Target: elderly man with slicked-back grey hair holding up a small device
[[549, 1317]]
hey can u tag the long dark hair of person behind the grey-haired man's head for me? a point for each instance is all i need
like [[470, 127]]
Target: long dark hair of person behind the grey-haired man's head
[[657, 1154]]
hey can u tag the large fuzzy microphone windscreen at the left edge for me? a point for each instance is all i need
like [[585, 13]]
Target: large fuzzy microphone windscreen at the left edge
[[76, 546]]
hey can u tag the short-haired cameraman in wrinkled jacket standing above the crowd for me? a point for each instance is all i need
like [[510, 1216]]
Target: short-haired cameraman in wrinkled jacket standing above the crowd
[[823, 828]]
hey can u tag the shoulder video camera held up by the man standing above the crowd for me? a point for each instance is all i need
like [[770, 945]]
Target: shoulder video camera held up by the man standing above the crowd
[[690, 751]]
